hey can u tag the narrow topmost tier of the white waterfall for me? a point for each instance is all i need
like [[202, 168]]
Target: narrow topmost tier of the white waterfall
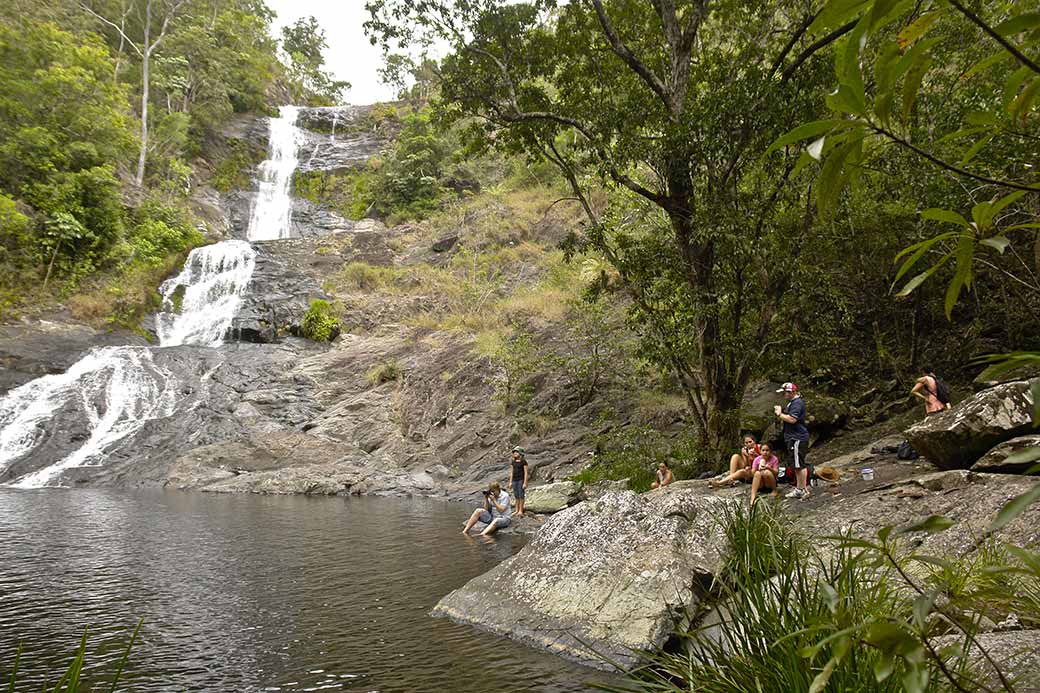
[[273, 211]]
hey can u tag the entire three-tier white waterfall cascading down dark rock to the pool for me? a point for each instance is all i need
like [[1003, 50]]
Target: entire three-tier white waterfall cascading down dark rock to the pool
[[118, 390]]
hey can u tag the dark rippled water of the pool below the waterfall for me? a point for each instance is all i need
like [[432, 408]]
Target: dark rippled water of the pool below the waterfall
[[250, 594]]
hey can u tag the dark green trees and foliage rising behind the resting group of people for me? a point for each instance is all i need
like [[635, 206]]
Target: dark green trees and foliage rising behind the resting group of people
[[730, 269]]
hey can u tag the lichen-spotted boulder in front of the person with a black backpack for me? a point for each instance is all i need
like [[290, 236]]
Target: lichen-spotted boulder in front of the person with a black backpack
[[956, 439]]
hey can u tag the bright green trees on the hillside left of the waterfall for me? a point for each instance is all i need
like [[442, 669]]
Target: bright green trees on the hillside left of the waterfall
[[105, 111]]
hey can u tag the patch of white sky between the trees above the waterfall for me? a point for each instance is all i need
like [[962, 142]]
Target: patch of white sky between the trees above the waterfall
[[350, 57]]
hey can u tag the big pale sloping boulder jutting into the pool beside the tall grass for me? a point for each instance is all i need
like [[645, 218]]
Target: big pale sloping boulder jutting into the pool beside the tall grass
[[605, 578]]
